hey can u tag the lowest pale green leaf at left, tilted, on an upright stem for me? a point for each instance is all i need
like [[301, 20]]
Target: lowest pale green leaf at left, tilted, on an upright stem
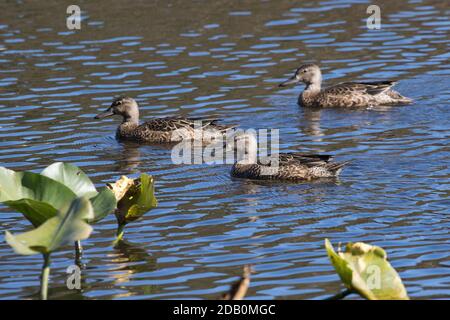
[[66, 227]]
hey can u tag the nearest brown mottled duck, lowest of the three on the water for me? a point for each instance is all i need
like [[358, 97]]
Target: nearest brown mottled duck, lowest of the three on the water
[[293, 166]]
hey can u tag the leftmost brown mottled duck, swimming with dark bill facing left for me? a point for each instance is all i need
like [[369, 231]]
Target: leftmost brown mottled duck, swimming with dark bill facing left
[[160, 130]]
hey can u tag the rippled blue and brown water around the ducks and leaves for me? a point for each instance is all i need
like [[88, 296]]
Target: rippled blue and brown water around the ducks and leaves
[[225, 59]]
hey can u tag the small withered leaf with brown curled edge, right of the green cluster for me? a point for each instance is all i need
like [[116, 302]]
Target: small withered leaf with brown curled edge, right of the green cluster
[[139, 199]]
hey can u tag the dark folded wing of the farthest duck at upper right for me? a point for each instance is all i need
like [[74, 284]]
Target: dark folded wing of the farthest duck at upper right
[[358, 88]]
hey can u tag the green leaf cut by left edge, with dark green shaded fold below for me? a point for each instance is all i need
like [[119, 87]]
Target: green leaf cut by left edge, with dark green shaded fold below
[[37, 197]]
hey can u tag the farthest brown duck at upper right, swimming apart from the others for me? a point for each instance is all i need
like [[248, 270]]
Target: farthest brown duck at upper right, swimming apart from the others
[[346, 94]]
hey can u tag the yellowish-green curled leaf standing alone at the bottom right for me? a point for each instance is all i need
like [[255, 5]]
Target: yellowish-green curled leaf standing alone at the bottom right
[[365, 270]]
